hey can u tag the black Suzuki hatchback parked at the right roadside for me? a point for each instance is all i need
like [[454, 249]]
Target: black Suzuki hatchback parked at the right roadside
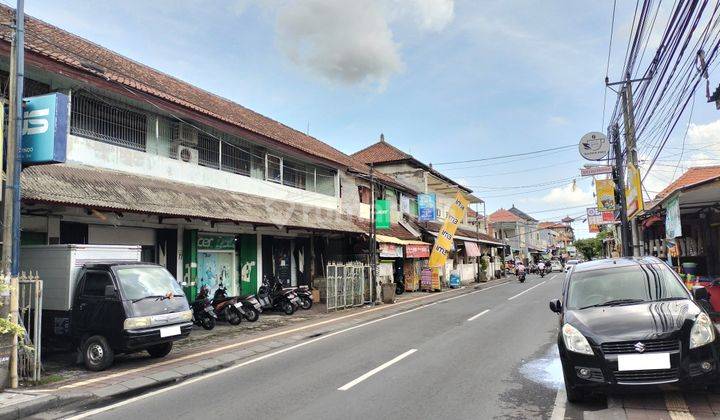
[[631, 323]]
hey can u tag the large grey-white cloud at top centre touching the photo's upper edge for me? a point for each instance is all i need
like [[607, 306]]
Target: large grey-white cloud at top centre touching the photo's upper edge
[[352, 42]]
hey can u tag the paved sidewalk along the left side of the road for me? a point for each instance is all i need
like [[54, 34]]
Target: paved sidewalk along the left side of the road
[[203, 352]]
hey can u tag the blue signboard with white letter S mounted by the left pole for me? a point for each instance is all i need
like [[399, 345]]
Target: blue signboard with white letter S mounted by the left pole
[[45, 129]]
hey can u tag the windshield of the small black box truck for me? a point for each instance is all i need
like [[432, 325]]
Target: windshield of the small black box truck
[[141, 282]]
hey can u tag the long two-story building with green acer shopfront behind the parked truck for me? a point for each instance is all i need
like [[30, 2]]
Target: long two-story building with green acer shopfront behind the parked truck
[[210, 189]]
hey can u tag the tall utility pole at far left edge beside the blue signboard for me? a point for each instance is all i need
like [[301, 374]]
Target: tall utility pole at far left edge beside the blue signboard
[[11, 221]]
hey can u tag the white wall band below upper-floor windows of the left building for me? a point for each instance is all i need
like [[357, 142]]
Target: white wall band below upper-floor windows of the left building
[[94, 153]]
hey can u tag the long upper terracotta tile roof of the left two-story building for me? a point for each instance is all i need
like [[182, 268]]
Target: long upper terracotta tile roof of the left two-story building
[[71, 50]]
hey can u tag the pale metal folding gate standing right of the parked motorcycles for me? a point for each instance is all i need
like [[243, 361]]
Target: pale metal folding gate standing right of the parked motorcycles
[[347, 285]]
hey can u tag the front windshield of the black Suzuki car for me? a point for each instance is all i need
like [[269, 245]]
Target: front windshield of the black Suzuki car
[[624, 285]]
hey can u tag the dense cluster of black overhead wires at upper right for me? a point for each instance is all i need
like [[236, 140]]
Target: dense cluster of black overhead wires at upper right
[[686, 51]]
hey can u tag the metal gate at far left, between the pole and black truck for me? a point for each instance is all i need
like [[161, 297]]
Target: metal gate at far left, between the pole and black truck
[[30, 289]]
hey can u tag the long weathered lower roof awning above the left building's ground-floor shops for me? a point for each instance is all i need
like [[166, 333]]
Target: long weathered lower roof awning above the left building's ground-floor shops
[[103, 189]]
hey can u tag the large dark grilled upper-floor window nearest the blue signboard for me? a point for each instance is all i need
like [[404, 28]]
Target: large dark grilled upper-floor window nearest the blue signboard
[[108, 122]]
